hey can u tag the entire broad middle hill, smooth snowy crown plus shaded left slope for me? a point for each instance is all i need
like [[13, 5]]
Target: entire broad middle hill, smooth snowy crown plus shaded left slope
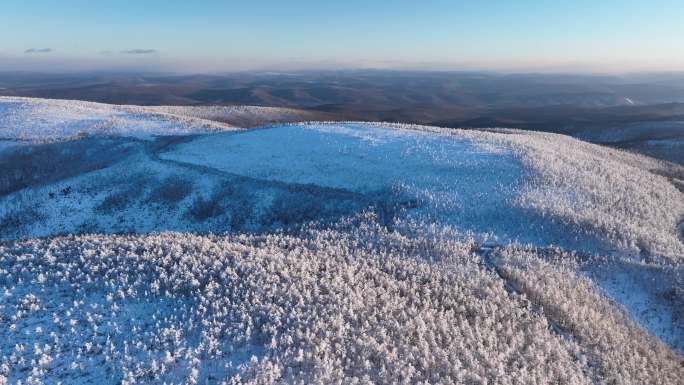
[[534, 188]]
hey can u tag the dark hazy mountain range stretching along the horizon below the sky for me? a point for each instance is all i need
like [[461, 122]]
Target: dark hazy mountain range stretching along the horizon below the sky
[[587, 106]]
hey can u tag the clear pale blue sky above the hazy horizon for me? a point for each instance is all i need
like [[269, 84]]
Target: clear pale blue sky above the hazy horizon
[[219, 35]]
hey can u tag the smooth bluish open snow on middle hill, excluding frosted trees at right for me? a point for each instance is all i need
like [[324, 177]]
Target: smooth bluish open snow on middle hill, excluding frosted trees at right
[[428, 177]]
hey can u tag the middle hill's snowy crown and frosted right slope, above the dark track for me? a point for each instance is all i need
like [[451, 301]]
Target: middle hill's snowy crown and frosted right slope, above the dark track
[[531, 187]]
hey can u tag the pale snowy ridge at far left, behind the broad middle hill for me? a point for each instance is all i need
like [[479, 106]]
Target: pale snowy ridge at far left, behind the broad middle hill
[[53, 119]]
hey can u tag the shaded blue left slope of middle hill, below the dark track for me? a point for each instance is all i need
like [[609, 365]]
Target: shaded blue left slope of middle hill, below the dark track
[[129, 196]]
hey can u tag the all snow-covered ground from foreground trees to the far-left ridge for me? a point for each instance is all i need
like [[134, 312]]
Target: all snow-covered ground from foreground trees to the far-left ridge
[[347, 252]]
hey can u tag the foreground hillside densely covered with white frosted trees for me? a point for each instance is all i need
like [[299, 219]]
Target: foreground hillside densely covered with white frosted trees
[[320, 306]]
